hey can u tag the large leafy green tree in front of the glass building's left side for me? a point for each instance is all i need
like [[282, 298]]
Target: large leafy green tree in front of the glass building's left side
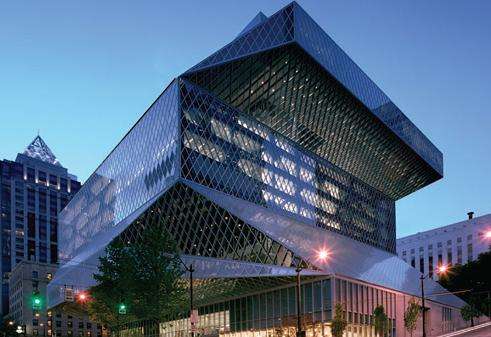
[[144, 275]]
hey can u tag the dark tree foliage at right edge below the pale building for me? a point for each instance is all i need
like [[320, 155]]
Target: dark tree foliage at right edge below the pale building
[[472, 276]]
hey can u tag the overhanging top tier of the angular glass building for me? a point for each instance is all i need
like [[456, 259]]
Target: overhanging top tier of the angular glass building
[[293, 26]]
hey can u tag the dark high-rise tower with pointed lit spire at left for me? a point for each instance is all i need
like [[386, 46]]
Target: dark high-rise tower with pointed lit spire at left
[[33, 190]]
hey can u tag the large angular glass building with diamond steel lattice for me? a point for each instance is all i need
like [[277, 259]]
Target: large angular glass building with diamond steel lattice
[[269, 151]]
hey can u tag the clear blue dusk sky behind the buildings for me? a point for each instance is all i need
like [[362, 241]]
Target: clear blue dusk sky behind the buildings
[[83, 72]]
